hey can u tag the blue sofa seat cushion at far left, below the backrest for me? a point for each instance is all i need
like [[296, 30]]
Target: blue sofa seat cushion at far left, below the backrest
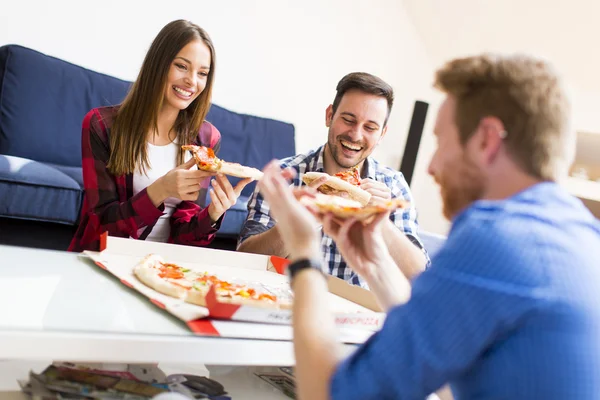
[[32, 190]]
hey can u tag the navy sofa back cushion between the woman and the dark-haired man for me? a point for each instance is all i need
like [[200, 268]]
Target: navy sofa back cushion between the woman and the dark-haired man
[[251, 140]]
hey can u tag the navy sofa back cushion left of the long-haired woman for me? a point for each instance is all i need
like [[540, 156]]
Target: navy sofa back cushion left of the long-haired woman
[[43, 101]]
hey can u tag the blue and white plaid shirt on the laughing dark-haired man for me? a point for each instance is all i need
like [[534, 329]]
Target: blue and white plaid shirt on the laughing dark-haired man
[[259, 220]]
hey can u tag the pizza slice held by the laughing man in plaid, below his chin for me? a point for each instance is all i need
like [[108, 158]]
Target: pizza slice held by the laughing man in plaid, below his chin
[[343, 183]]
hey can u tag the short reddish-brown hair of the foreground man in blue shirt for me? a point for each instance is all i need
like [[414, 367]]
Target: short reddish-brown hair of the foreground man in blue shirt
[[526, 95]]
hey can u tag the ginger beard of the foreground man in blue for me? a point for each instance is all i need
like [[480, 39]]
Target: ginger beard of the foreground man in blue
[[461, 183]]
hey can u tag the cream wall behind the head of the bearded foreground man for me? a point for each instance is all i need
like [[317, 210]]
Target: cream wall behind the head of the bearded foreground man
[[563, 32]]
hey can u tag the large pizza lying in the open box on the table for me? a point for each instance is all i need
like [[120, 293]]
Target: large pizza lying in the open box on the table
[[193, 286]]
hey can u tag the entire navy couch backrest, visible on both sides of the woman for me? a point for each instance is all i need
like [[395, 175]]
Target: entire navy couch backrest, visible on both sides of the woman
[[43, 101]]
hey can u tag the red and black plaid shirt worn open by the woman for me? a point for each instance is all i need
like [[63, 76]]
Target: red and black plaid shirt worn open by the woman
[[109, 204]]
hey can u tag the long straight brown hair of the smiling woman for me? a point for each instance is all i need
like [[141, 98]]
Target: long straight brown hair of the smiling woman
[[138, 113]]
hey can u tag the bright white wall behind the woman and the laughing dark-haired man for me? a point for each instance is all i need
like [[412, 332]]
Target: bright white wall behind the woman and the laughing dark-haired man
[[276, 58]]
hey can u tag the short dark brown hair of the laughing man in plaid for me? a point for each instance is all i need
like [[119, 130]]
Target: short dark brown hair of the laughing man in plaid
[[366, 83]]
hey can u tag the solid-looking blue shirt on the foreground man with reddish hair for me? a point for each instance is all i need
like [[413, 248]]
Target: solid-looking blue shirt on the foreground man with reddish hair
[[510, 309]]
